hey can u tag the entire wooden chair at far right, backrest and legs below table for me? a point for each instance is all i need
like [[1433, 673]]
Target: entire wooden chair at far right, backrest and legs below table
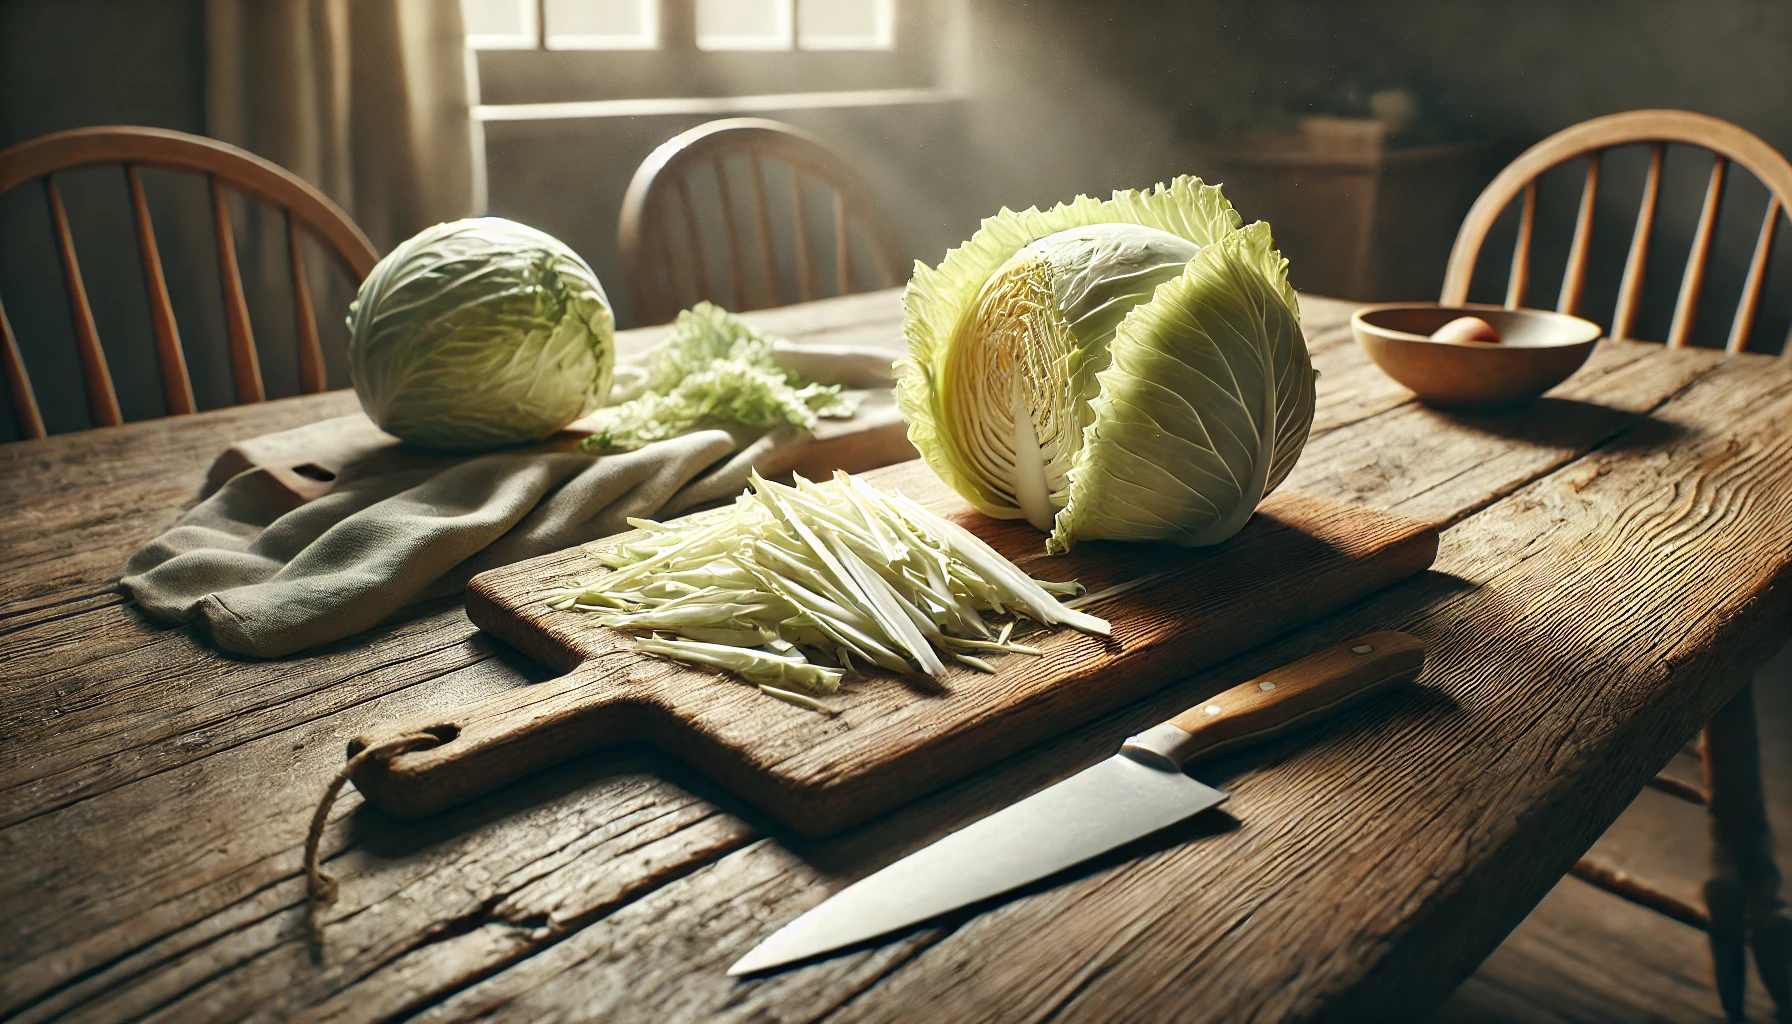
[[1743, 898]]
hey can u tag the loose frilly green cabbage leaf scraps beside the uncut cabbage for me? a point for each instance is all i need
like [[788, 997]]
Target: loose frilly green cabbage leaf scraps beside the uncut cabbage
[[714, 370]]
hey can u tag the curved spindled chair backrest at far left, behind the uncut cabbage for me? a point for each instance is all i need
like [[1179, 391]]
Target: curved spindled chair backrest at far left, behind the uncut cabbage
[[225, 168]]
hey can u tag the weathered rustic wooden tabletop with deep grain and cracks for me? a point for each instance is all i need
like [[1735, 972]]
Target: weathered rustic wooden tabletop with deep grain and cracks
[[1615, 564]]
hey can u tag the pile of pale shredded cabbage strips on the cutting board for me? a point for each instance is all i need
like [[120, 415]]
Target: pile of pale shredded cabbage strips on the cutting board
[[789, 587]]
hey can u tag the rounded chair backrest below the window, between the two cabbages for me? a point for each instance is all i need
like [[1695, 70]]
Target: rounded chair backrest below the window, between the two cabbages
[[664, 239]]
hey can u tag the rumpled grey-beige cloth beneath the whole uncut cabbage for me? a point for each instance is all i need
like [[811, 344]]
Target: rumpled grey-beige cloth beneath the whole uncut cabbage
[[268, 573]]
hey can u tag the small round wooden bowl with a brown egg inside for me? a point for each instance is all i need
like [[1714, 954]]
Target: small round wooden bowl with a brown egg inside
[[1537, 352]]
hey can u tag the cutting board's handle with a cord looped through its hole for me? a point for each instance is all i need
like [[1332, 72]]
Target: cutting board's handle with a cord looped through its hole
[[504, 738]]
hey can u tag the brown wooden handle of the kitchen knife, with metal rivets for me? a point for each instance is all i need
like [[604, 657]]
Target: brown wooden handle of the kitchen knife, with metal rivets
[[1282, 700]]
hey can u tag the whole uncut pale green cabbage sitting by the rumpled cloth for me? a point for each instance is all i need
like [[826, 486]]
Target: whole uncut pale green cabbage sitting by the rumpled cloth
[[481, 334]]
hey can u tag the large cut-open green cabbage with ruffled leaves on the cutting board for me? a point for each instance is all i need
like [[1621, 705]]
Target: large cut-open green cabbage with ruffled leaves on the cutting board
[[1124, 370]]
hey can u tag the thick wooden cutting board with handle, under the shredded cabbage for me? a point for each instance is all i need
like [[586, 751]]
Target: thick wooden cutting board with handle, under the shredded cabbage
[[893, 738]]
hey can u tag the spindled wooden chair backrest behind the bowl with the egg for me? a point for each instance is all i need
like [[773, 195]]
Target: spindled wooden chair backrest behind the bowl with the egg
[[1590, 139]]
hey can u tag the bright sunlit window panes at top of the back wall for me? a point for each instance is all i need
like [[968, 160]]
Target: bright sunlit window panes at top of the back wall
[[712, 24]]
